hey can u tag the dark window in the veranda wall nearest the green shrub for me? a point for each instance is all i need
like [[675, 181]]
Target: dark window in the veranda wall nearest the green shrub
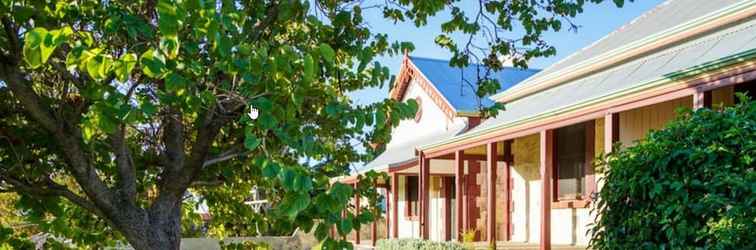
[[574, 152]]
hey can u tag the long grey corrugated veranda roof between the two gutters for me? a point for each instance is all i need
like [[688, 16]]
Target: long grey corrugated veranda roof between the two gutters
[[740, 38]]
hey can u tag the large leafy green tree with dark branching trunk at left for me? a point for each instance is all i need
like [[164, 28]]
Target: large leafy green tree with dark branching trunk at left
[[113, 113]]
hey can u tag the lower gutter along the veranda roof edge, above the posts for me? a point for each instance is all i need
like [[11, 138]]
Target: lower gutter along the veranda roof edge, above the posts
[[660, 81]]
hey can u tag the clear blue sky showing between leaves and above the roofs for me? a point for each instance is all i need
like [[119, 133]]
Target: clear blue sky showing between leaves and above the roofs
[[595, 22]]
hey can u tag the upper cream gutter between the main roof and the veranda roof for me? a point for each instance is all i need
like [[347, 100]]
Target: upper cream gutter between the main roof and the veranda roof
[[681, 32]]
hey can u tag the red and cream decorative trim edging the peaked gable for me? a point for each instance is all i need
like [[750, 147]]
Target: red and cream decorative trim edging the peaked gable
[[407, 73]]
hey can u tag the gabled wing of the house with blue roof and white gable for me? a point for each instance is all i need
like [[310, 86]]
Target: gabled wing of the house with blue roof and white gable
[[447, 106]]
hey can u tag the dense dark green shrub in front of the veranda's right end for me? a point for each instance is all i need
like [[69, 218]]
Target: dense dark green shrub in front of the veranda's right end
[[690, 185]]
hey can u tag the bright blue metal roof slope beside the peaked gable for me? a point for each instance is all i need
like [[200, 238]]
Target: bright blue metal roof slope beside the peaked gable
[[450, 82]]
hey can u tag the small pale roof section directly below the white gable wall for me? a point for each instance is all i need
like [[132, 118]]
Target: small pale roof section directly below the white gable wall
[[400, 154]]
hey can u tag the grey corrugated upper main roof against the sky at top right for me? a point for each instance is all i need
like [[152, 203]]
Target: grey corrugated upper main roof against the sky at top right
[[663, 17]]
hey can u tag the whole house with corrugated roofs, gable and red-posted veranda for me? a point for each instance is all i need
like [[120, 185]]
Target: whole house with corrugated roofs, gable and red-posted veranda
[[458, 174]]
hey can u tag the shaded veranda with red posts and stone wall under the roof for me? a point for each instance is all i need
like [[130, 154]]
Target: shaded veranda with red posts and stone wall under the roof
[[507, 203]]
